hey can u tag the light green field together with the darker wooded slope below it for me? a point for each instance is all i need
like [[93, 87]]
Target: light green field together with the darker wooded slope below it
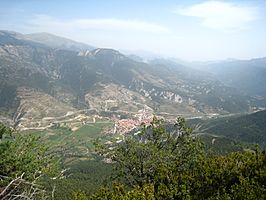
[[75, 150]]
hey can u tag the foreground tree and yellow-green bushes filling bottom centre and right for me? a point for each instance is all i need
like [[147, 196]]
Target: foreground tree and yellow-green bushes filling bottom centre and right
[[158, 164]]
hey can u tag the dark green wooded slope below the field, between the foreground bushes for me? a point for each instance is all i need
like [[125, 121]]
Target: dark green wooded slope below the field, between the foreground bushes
[[83, 177]]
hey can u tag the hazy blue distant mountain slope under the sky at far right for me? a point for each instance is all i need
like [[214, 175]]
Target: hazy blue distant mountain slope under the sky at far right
[[248, 76]]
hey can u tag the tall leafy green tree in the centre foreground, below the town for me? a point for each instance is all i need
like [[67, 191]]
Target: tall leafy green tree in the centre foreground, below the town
[[150, 156]]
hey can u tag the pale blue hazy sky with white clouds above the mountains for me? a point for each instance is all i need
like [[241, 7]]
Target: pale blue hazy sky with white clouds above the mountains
[[189, 29]]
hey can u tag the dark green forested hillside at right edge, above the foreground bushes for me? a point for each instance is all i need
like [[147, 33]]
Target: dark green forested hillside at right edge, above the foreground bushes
[[249, 128]]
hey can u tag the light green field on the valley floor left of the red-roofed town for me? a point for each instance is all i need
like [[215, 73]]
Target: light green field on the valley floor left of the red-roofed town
[[74, 144]]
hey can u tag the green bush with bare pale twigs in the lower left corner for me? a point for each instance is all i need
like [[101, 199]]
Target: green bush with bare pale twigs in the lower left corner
[[24, 164]]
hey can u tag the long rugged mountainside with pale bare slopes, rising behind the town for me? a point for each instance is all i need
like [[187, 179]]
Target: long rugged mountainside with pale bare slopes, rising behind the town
[[43, 77]]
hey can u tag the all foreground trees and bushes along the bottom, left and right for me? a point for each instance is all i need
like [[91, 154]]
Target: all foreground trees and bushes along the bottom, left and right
[[154, 163]]
